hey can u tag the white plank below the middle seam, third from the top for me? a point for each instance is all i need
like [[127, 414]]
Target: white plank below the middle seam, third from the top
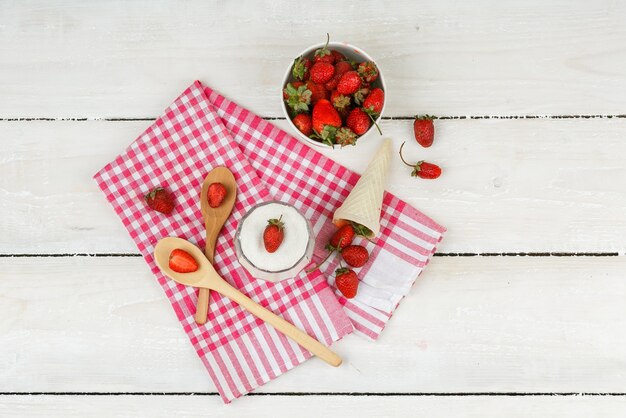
[[471, 324]]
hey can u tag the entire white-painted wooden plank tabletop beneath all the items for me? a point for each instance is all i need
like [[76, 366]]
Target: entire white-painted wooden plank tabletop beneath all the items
[[471, 324]]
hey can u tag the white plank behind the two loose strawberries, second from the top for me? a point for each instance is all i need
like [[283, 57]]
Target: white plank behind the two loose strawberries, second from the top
[[508, 185]]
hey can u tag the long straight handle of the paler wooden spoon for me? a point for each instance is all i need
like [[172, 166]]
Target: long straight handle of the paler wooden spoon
[[299, 336]]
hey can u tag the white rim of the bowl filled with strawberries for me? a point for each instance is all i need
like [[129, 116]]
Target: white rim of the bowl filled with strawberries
[[352, 53]]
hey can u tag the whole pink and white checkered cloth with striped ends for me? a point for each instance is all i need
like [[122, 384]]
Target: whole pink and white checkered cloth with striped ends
[[202, 130]]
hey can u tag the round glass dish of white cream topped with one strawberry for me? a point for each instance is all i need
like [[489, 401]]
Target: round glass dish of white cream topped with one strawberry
[[293, 254]]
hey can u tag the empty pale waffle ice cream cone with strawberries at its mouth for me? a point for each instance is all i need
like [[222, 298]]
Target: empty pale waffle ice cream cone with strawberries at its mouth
[[364, 203]]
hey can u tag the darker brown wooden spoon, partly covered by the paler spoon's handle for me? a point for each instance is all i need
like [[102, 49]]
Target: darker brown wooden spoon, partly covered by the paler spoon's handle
[[214, 219]]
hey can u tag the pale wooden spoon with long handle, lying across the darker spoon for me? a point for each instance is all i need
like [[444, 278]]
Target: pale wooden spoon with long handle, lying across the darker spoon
[[207, 277]]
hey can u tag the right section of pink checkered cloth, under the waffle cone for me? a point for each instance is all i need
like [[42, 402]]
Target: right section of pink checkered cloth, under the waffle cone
[[317, 185]]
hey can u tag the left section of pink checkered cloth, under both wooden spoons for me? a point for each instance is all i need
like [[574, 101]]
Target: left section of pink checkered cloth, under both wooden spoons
[[239, 351]]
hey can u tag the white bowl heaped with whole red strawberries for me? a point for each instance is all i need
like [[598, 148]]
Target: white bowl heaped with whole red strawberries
[[333, 94]]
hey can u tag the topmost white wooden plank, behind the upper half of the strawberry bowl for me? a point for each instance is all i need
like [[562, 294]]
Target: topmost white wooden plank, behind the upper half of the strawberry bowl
[[117, 59]]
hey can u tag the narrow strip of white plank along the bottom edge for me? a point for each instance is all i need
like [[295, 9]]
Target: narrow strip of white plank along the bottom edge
[[311, 406]]
